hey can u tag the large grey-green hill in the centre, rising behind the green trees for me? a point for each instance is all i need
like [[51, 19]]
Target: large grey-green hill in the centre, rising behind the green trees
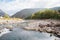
[[26, 12]]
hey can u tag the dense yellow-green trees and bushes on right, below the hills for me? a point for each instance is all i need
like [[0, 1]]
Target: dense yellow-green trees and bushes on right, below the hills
[[46, 14]]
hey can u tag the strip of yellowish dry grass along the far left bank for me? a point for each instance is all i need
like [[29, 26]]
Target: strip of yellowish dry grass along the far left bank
[[10, 20]]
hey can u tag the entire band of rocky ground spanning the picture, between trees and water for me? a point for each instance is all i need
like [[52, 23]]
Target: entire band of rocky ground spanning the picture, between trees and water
[[49, 26]]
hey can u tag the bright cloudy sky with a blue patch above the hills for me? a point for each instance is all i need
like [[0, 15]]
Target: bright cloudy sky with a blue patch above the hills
[[13, 6]]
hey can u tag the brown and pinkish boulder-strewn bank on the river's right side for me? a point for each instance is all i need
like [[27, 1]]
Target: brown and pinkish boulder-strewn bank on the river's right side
[[49, 26]]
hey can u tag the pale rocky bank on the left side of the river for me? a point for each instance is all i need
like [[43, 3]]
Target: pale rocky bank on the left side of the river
[[9, 24]]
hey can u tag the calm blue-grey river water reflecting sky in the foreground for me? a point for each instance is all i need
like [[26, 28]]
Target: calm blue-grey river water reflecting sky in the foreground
[[21, 34]]
